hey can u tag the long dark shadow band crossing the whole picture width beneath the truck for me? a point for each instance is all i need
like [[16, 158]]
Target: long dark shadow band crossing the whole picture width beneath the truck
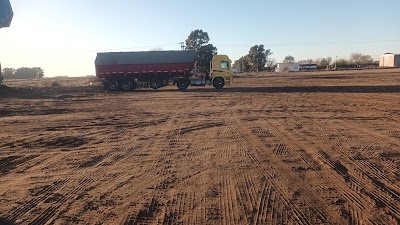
[[79, 92]]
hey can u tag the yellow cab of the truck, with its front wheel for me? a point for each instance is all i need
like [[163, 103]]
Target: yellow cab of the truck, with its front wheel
[[221, 71]]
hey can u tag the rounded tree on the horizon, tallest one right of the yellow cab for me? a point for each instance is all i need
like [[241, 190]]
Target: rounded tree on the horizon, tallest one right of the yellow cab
[[257, 57]]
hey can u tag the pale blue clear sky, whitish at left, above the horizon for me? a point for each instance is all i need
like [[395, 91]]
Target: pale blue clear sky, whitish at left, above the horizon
[[63, 36]]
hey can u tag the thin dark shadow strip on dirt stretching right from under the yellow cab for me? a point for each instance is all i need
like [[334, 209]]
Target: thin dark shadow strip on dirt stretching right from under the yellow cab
[[304, 89]]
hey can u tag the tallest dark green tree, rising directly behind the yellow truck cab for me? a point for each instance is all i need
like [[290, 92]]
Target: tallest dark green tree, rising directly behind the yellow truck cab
[[198, 41]]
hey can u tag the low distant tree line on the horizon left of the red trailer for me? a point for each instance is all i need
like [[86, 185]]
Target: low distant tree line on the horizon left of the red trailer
[[23, 73]]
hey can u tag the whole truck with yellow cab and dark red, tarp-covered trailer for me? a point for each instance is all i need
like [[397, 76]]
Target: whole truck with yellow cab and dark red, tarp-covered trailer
[[125, 71]]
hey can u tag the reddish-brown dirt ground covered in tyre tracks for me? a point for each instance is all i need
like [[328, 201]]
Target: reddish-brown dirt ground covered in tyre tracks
[[301, 148]]
